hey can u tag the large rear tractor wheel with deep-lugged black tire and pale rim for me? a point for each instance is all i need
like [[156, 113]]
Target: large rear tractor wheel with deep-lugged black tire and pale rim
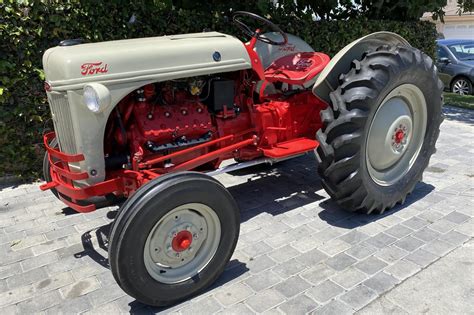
[[380, 132]]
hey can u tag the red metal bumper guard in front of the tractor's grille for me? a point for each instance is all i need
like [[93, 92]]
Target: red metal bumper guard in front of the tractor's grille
[[62, 179]]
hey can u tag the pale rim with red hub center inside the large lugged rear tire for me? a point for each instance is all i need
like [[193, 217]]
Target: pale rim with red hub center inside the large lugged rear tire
[[396, 134]]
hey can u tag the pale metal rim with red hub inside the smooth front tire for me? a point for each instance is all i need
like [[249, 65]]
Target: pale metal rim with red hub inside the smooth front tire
[[169, 255]]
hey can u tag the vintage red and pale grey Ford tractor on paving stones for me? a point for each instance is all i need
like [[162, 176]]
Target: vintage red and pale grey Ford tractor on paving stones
[[150, 120]]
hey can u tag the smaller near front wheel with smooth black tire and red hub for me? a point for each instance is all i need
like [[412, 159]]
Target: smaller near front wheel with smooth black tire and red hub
[[173, 238]]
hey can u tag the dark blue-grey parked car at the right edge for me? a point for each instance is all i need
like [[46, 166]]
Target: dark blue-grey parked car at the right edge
[[455, 61]]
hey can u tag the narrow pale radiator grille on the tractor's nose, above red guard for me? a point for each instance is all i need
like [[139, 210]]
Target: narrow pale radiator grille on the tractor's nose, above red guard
[[62, 122]]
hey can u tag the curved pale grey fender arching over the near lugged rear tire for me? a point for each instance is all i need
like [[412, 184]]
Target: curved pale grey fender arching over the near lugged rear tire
[[327, 80]]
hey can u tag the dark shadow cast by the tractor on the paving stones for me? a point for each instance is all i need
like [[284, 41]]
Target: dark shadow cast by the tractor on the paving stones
[[274, 190]]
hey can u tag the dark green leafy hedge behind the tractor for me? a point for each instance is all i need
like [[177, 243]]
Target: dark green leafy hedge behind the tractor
[[28, 28]]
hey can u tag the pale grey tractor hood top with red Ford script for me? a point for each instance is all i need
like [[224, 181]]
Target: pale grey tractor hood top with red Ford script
[[160, 58]]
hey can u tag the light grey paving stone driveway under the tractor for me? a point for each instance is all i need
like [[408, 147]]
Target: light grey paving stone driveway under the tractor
[[297, 251]]
